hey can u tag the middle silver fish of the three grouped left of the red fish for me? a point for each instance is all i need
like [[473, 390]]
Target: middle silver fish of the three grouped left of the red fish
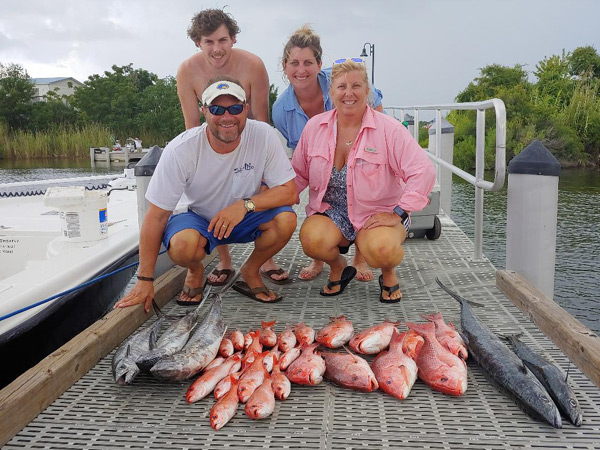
[[170, 342]]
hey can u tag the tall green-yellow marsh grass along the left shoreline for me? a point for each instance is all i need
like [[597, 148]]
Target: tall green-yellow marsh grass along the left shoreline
[[60, 142]]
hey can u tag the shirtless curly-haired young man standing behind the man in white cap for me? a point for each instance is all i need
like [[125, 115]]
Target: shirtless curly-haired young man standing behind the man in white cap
[[214, 33]]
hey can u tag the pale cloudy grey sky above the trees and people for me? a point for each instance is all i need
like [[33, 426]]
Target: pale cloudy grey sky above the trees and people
[[426, 51]]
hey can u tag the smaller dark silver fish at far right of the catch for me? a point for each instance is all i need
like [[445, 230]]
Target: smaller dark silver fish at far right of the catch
[[551, 377]]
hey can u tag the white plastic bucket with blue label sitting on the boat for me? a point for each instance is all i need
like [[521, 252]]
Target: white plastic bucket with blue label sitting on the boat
[[83, 213]]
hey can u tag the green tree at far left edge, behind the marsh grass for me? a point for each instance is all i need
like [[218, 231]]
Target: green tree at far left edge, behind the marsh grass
[[16, 92]]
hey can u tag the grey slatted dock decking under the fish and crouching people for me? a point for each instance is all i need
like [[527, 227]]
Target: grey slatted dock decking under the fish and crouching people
[[95, 413]]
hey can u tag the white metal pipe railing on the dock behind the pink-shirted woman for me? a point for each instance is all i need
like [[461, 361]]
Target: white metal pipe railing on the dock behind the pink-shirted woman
[[477, 180]]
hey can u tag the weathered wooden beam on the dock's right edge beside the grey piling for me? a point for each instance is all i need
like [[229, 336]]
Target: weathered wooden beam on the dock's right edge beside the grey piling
[[578, 343]]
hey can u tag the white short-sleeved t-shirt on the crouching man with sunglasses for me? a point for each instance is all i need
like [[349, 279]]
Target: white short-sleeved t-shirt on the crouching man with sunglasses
[[208, 182]]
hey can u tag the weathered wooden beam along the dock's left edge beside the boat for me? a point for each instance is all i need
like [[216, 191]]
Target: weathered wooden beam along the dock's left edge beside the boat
[[27, 396]]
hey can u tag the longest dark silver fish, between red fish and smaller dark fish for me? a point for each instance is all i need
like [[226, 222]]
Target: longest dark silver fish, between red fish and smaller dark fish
[[503, 368]]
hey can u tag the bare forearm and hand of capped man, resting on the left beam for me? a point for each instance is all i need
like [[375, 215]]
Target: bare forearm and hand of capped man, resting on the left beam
[[151, 234]]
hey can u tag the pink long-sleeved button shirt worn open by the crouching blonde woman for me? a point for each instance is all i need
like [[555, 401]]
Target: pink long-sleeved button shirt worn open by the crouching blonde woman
[[386, 166]]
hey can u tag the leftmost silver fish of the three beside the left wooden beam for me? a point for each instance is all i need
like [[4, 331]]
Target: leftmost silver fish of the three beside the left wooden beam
[[124, 363]]
